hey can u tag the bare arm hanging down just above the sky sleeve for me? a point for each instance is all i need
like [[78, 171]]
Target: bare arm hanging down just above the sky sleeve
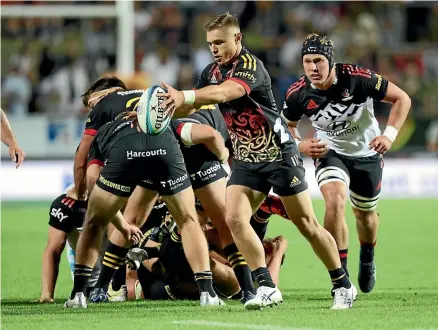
[[80, 166]]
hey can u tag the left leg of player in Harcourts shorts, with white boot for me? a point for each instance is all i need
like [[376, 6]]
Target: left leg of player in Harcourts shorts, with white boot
[[102, 207]]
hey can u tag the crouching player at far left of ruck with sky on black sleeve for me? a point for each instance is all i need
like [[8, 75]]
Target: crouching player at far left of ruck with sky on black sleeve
[[66, 217]]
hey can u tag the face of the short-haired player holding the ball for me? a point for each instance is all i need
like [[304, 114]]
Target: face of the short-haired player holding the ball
[[223, 44]]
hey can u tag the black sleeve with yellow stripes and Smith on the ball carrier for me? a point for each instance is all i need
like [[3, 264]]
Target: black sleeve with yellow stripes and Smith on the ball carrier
[[248, 72]]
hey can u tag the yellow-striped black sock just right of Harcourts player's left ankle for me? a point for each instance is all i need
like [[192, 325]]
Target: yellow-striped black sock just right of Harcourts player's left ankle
[[114, 258]]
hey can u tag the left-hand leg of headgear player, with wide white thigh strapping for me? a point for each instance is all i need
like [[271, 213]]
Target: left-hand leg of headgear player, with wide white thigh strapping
[[333, 179]]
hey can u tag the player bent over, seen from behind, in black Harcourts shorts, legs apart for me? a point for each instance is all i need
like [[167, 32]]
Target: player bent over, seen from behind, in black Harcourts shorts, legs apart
[[156, 164]]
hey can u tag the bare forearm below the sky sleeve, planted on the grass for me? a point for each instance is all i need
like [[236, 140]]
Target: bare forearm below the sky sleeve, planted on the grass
[[51, 259]]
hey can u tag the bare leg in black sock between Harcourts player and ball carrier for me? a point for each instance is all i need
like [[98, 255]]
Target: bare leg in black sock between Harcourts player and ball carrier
[[212, 199]]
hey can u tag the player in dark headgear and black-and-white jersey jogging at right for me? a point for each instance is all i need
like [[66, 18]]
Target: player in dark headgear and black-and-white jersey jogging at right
[[348, 146]]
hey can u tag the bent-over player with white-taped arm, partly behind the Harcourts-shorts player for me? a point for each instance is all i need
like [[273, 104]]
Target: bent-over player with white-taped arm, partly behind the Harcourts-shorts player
[[204, 137]]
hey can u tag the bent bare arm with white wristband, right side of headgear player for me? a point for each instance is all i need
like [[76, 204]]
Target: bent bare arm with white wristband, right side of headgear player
[[401, 104]]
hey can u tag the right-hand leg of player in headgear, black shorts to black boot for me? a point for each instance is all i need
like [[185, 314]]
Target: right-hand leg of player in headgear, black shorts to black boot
[[366, 180]]
